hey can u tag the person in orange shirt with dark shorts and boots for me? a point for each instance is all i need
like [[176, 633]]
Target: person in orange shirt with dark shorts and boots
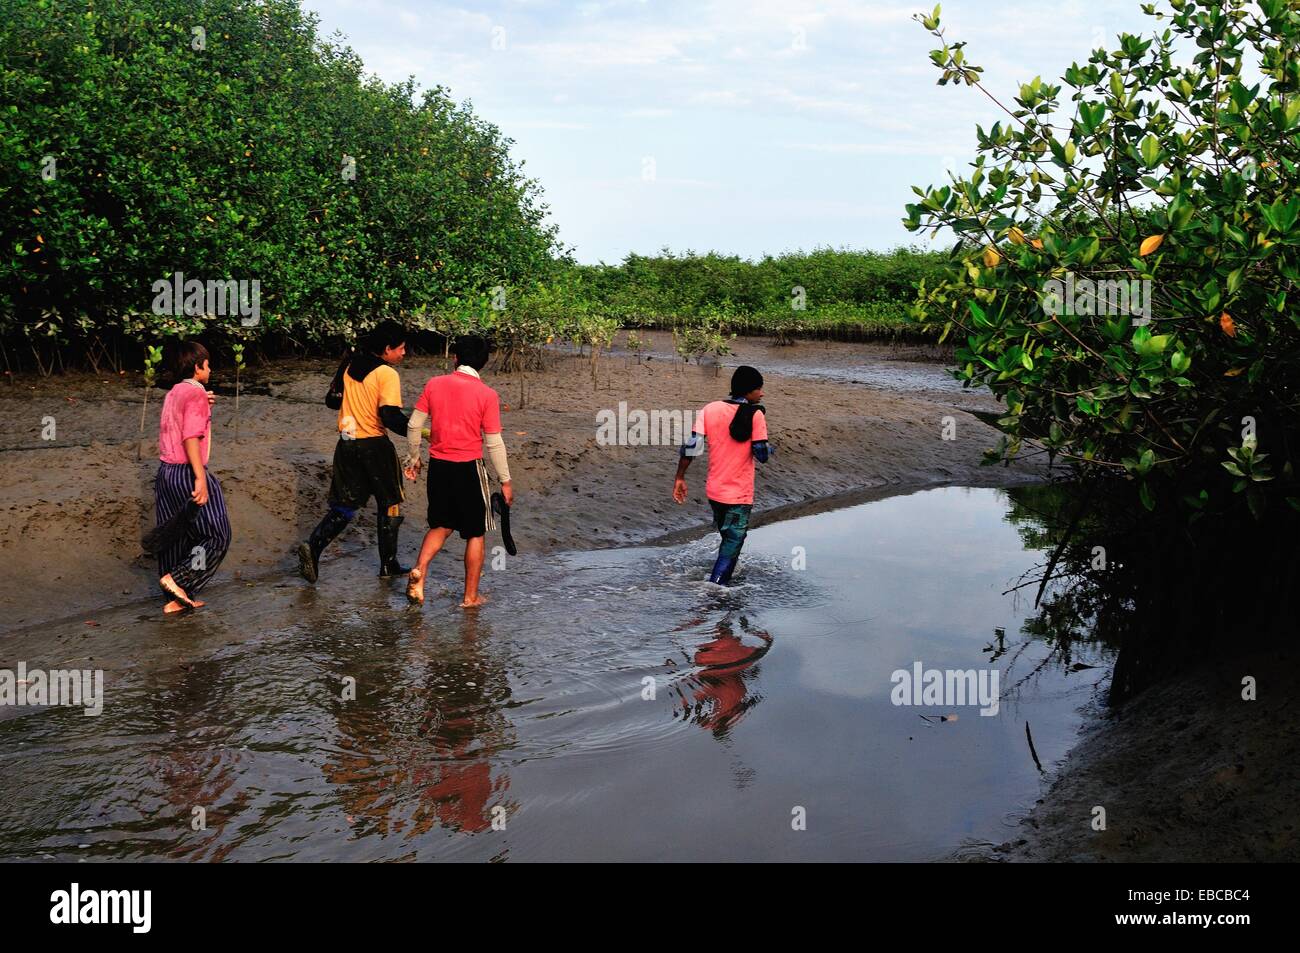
[[367, 395]]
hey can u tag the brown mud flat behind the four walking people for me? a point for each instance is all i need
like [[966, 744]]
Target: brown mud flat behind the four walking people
[[848, 422]]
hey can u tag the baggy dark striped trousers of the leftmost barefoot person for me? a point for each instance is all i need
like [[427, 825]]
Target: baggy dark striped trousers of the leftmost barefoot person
[[193, 561]]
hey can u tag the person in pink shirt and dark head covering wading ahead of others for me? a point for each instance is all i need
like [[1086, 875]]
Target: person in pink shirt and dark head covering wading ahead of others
[[736, 432]]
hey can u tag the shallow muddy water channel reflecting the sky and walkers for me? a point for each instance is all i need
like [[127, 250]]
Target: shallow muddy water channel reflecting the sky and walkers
[[604, 707]]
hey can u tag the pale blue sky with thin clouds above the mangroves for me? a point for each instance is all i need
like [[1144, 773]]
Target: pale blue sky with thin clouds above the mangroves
[[739, 127]]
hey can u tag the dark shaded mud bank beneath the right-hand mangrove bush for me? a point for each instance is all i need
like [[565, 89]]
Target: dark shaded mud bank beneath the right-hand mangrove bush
[[1186, 772]]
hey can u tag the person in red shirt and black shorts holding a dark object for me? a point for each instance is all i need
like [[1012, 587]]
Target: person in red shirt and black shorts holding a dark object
[[465, 419]]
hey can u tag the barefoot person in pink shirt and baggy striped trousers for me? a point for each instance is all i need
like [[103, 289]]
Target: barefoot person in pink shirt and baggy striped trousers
[[185, 445]]
